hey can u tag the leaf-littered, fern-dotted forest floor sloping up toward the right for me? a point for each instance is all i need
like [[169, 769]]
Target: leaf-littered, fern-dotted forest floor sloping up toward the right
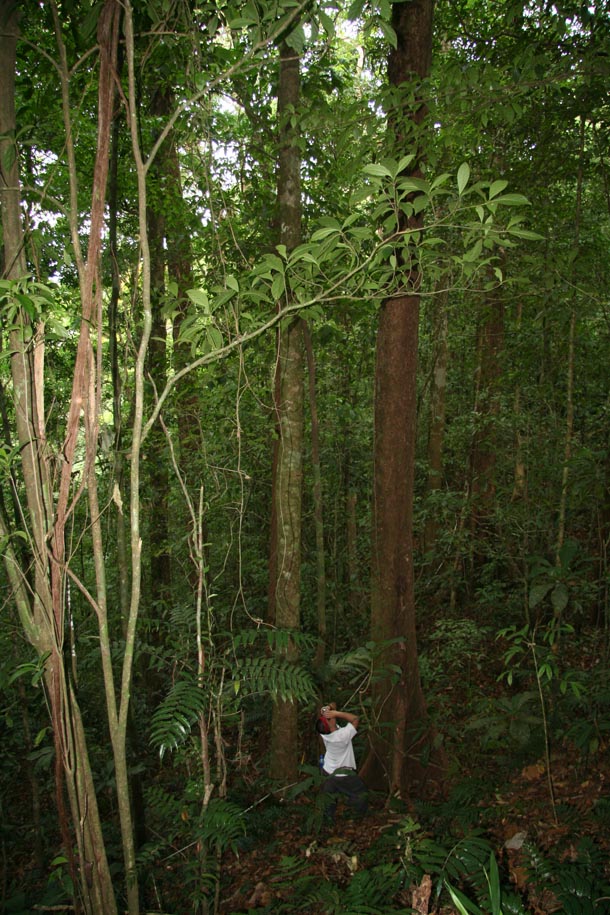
[[550, 836]]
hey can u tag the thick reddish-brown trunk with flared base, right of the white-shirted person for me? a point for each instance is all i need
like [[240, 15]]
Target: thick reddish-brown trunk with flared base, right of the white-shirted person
[[400, 731]]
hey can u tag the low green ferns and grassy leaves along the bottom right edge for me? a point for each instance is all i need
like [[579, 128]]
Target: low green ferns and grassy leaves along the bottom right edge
[[468, 874]]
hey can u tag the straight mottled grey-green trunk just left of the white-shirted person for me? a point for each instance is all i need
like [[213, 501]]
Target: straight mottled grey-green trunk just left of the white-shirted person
[[288, 477]]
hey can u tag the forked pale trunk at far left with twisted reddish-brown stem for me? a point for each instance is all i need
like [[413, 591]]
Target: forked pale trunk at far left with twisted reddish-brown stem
[[42, 614]]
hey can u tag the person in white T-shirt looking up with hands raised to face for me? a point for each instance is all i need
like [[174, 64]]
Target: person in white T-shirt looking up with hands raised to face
[[339, 765]]
